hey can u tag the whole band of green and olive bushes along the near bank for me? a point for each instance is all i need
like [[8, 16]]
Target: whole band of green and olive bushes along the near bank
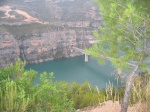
[[48, 95]]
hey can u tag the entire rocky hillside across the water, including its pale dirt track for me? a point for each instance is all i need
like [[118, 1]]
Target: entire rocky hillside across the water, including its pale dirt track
[[37, 31]]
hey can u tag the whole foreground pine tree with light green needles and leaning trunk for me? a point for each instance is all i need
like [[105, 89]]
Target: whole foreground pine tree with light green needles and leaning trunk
[[124, 38]]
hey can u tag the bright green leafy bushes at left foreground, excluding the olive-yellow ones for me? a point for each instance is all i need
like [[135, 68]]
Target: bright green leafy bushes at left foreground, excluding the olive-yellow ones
[[17, 94]]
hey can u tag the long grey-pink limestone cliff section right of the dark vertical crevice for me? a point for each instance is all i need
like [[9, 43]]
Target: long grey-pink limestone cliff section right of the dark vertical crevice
[[52, 45]]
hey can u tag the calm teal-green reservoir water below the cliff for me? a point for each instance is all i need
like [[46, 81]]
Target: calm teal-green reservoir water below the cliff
[[75, 69]]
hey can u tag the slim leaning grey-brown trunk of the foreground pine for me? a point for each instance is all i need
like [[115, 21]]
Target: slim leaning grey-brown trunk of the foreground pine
[[125, 102]]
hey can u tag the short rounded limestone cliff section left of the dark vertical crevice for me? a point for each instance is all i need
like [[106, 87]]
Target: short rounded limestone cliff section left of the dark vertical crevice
[[9, 49]]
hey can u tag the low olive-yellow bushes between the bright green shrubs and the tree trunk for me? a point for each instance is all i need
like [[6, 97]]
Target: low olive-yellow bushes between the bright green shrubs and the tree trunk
[[84, 95]]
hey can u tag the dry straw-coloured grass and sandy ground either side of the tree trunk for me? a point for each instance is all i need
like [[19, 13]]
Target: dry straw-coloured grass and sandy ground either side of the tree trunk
[[139, 101]]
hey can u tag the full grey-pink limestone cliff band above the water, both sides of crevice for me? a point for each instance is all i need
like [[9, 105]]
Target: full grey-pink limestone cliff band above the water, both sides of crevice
[[38, 48]]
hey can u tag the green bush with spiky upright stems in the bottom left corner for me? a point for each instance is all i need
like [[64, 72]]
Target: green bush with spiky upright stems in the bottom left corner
[[12, 99]]
